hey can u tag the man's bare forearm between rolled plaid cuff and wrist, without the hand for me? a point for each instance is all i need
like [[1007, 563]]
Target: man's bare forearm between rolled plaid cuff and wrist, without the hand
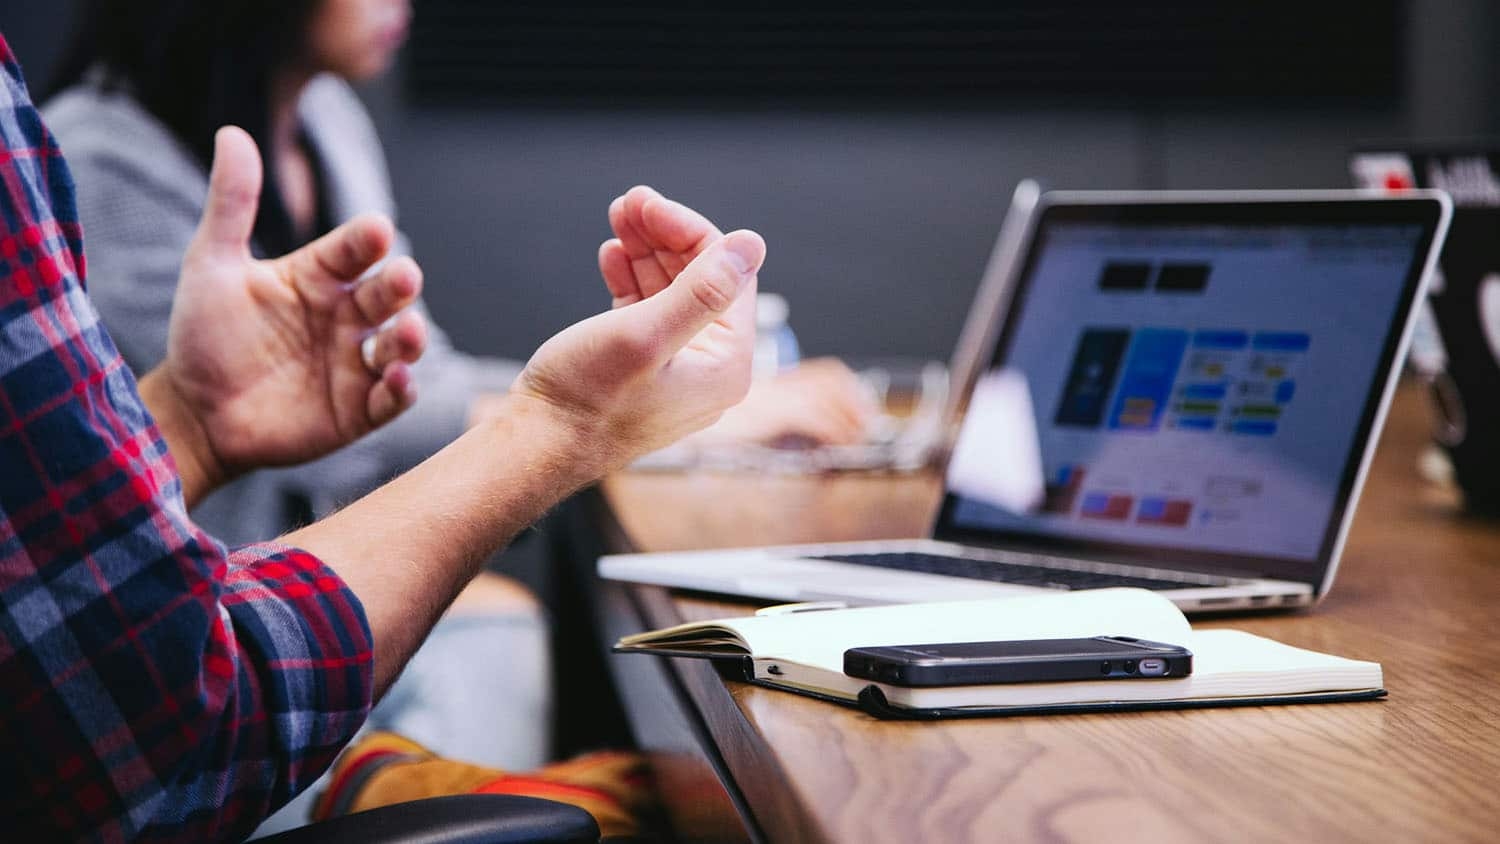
[[409, 548]]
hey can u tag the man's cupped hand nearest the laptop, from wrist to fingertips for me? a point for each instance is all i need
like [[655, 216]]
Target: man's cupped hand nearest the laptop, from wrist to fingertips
[[676, 350]]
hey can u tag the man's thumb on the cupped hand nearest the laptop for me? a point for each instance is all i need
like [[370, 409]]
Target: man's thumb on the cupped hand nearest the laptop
[[706, 290]]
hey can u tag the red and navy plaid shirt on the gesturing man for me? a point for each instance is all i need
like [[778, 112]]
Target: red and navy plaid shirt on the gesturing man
[[154, 686]]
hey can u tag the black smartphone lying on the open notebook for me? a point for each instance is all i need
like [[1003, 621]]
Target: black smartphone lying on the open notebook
[[1028, 660]]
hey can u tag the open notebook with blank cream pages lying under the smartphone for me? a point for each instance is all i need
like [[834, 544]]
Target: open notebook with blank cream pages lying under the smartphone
[[803, 653]]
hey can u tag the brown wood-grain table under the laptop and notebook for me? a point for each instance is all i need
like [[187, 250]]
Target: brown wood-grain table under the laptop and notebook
[[1418, 591]]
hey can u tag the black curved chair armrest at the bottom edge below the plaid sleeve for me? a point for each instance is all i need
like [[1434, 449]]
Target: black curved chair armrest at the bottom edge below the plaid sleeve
[[461, 819]]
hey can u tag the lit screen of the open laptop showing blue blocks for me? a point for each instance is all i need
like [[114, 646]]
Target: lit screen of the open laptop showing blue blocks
[[1204, 379]]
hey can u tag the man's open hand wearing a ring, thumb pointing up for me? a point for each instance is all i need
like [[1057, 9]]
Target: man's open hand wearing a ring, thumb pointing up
[[265, 359]]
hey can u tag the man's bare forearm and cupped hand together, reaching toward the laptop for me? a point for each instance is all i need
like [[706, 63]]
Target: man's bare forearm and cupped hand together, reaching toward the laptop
[[670, 359]]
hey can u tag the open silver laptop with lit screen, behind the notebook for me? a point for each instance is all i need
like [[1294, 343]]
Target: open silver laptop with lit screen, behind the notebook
[[1205, 374]]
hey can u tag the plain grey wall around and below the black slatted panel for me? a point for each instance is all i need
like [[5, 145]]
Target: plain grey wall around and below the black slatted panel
[[878, 224]]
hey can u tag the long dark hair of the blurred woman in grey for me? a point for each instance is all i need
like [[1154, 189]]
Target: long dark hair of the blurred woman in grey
[[197, 65]]
